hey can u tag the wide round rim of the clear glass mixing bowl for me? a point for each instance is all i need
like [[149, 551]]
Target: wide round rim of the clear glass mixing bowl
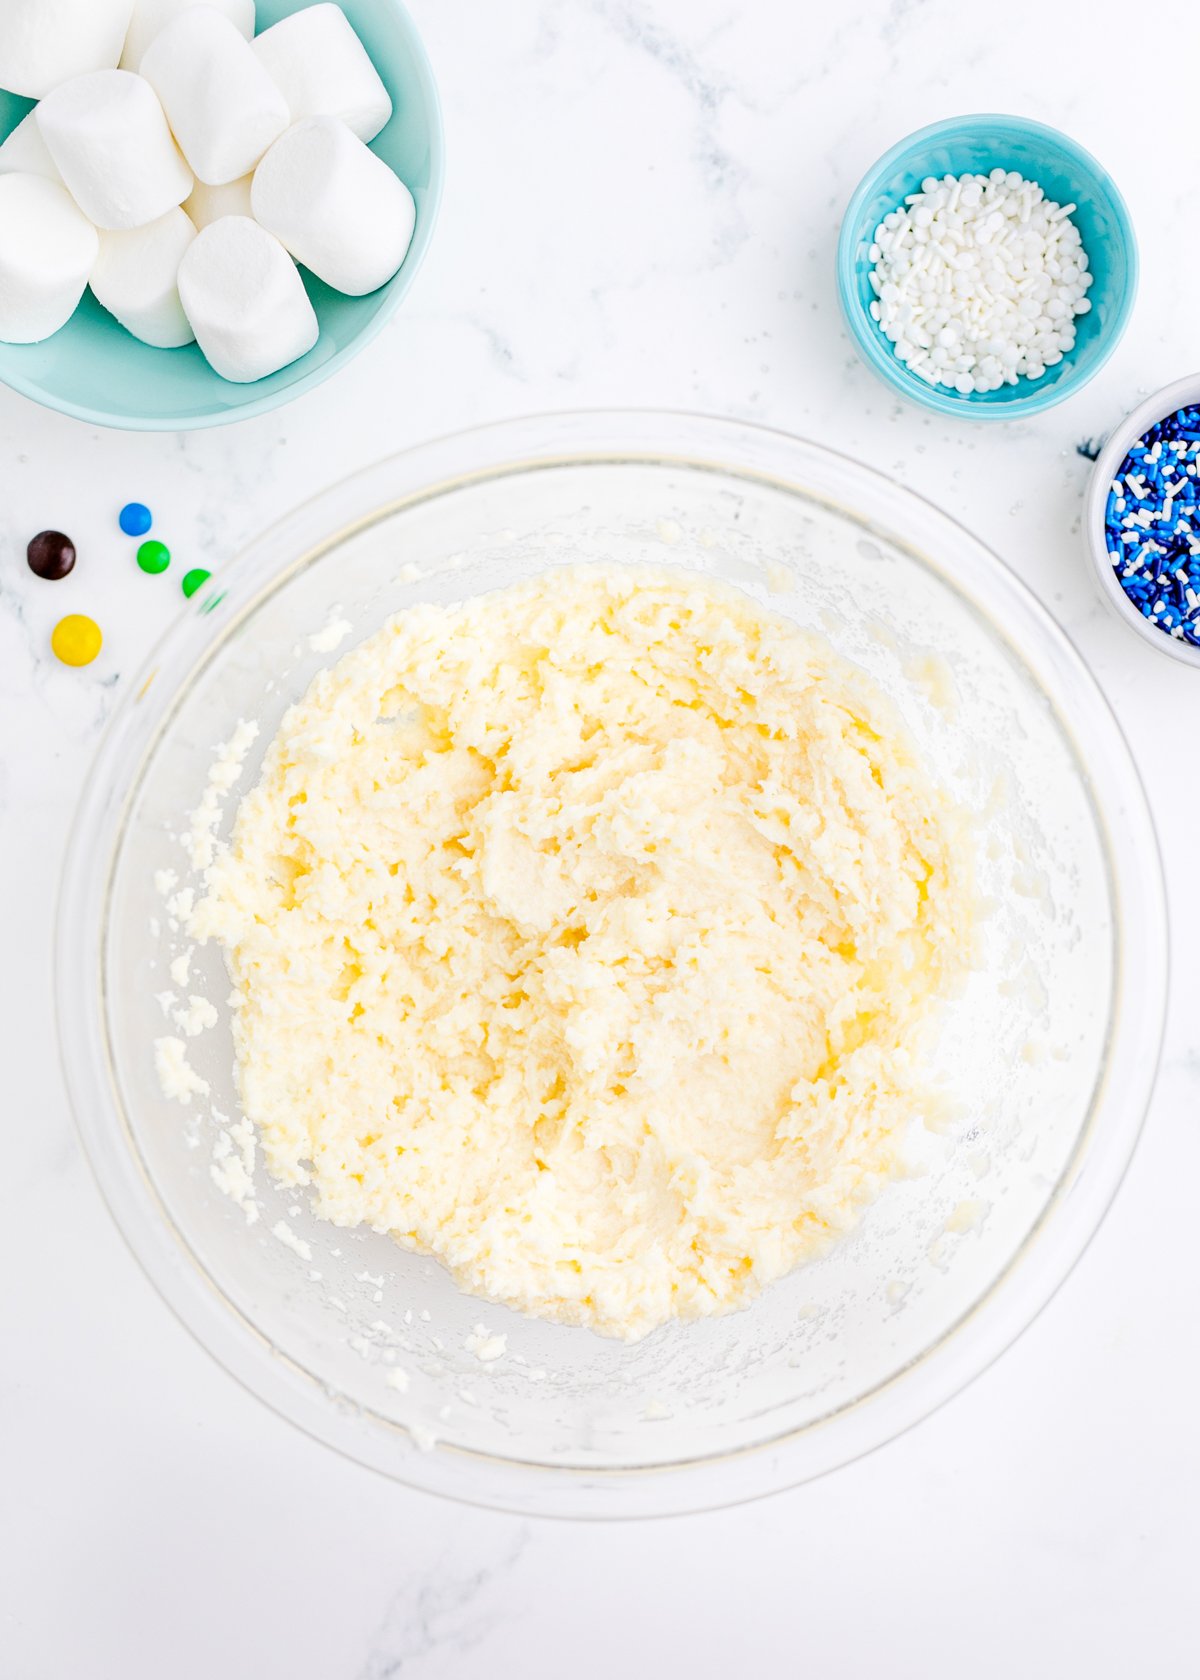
[[1073, 1212]]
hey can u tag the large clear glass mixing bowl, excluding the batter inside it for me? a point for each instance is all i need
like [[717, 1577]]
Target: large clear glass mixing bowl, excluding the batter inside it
[[1051, 1051]]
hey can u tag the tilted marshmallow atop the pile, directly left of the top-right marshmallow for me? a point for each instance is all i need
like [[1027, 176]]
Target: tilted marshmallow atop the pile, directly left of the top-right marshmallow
[[219, 100]]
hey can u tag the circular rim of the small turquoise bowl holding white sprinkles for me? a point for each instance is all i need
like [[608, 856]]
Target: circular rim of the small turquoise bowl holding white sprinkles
[[870, 342]]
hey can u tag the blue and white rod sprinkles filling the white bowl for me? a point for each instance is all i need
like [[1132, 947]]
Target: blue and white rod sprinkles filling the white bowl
[[1152, 525]]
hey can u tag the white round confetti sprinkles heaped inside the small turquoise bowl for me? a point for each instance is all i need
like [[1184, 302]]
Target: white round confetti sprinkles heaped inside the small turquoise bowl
[[979, 281]]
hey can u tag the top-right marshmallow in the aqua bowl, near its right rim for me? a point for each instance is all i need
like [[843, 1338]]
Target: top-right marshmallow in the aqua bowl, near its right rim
[[322, 68]]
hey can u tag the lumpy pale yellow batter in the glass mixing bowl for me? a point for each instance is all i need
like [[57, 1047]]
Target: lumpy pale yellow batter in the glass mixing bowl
[[591, 938]]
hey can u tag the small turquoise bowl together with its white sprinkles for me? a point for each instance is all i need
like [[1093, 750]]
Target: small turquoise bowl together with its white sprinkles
[[987, 268]]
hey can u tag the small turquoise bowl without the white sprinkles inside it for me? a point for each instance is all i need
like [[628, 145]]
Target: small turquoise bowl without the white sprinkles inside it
[[1070, 176]]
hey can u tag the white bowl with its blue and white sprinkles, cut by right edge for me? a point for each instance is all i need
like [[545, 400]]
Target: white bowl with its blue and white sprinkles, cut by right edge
[[1161, 606]]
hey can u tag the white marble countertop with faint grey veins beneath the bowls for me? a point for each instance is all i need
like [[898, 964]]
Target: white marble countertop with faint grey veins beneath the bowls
[[641, 209]]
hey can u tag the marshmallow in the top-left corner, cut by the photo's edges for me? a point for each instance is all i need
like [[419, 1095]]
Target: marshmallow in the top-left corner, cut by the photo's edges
[[45, 43]]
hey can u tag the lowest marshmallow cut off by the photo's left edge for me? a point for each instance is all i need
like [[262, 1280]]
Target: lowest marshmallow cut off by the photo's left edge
[[48, 248]]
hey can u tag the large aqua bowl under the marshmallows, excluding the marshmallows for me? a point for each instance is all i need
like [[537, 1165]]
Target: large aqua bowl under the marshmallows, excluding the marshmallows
[[98, 372]]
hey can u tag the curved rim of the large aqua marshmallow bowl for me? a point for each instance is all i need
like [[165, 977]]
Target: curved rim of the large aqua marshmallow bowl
[[392, 291]]
